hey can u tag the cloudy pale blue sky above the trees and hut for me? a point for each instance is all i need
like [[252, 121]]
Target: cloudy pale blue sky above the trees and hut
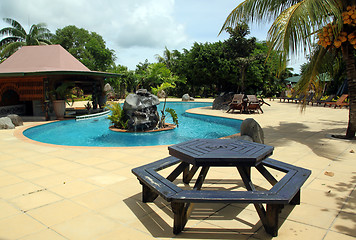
[[135, 29]]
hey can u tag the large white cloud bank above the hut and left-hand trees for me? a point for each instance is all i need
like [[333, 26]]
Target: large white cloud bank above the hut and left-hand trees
[[123, 24]]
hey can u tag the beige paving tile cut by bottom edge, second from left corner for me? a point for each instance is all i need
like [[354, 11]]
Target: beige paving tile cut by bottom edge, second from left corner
[[87, 226]]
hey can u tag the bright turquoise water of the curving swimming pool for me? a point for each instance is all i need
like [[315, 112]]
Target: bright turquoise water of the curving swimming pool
[[96, 133]]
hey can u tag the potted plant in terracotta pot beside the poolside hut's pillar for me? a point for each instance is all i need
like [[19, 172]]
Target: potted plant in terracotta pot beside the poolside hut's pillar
[[62, 95]]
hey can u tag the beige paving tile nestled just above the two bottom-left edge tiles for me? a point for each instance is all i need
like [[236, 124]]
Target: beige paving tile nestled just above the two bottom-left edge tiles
[[57, 212]]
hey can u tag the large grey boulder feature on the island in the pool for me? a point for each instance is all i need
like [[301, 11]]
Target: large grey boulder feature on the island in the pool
[[141, 111]]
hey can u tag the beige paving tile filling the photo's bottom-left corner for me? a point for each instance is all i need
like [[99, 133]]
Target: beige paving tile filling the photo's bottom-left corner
[[18, 226]]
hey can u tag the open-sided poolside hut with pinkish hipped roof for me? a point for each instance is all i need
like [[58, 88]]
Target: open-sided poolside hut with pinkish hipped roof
[[29, 75]]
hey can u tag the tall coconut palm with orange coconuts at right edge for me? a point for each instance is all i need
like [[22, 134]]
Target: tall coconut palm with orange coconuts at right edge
[[296, 24]]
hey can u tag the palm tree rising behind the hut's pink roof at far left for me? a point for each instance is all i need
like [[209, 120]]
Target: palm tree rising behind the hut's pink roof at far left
[[16, 37]]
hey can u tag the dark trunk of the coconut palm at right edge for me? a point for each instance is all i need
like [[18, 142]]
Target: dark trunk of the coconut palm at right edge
[[348, 55]]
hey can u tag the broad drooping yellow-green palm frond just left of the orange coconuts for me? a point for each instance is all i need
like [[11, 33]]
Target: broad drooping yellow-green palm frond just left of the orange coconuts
[[293, 29]]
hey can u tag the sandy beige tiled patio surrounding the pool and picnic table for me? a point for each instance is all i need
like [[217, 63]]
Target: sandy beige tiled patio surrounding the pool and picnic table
[[53, 192]]
